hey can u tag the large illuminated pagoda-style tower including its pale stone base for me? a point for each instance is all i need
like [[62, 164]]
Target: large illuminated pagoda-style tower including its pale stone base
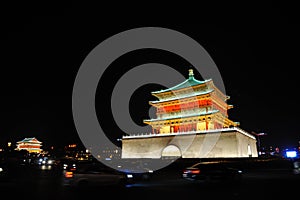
[[191, 122]]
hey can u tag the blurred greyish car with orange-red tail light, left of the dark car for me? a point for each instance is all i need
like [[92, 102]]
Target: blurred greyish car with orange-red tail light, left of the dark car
[[91, 175]]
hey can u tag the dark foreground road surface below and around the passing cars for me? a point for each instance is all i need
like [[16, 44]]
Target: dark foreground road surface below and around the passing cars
[[265, 183]]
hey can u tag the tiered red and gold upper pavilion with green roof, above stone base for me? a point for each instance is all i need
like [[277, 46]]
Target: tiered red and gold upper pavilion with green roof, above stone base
[[192, 105]]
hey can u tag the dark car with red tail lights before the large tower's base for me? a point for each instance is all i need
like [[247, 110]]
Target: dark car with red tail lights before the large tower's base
[[206, 171]]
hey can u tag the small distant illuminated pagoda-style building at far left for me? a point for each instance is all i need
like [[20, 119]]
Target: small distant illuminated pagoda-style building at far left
[[32, 145]]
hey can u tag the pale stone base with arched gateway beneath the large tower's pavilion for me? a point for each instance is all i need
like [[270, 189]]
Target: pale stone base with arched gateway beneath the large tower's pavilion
[[222, 143]]
